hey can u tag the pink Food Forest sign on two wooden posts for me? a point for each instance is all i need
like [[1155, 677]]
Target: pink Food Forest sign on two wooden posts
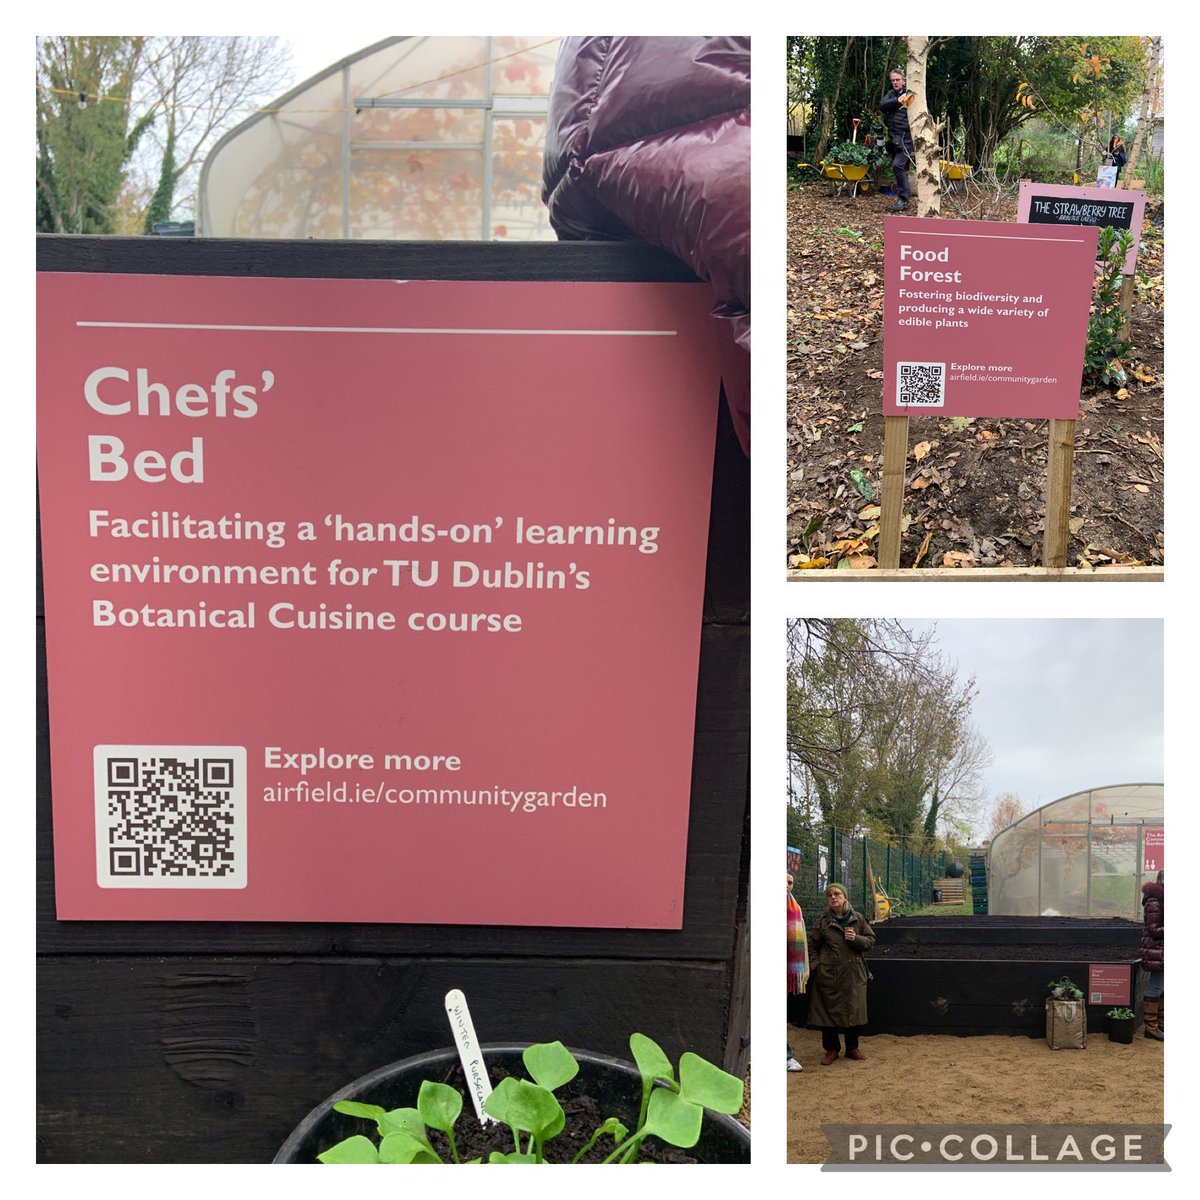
[[985, 319]]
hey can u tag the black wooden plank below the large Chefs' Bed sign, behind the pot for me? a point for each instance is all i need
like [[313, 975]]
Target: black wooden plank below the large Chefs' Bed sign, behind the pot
[[215, 1060]]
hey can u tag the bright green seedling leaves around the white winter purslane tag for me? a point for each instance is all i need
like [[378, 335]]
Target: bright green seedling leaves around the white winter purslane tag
[[673, 1109]]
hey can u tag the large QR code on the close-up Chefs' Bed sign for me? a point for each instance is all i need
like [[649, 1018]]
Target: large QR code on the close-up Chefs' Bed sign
[[171, 817]]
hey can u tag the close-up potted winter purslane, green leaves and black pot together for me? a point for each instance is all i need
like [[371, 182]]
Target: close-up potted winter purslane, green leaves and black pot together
[[550, 1105]]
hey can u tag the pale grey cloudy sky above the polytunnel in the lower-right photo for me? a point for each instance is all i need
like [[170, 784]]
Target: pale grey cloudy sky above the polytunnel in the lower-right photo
[[1065, 704]]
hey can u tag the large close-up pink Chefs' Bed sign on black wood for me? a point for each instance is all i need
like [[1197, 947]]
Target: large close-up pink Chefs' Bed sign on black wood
[[374, 601]]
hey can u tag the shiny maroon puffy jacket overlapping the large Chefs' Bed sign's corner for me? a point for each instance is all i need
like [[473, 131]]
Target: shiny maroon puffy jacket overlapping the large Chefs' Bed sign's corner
[[649, 139]]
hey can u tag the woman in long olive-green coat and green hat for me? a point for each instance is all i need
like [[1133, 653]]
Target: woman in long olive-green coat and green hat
[[838, 985]]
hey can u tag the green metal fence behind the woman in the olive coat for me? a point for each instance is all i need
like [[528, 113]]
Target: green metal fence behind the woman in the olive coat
[[823, 856]]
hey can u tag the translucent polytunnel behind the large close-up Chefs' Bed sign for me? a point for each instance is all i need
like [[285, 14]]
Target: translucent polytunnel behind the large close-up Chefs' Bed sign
[[424, 139]]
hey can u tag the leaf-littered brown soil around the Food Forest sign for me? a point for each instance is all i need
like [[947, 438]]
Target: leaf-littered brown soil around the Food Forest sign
[[975, 490]]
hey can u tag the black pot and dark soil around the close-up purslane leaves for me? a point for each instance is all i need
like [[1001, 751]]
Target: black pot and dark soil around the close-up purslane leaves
[[616, 1087]]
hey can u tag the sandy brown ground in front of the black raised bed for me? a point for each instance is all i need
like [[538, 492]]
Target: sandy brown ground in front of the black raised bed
[[941, 1081]]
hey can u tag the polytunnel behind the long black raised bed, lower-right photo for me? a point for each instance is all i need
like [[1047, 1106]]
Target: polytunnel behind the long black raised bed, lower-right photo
[[1083, 856]]
